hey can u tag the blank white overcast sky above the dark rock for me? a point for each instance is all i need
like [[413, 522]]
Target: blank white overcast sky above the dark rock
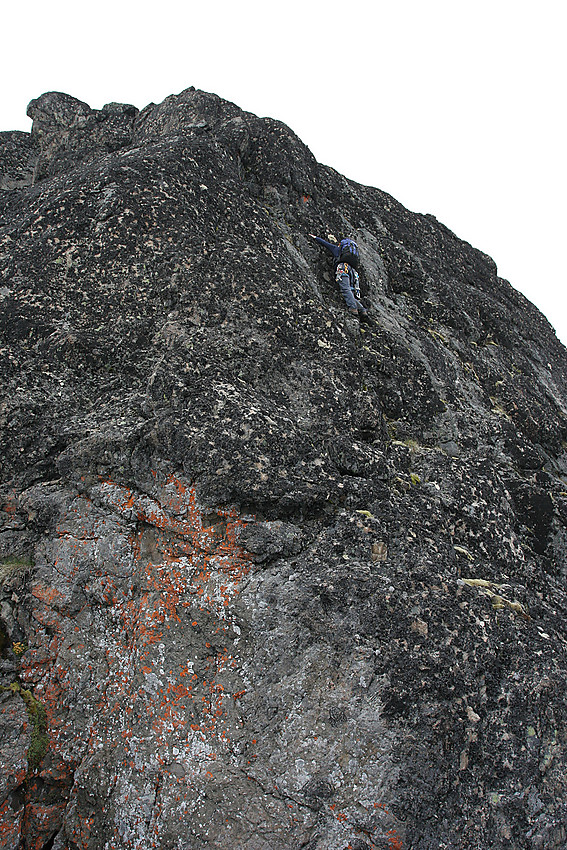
[[454, 107]]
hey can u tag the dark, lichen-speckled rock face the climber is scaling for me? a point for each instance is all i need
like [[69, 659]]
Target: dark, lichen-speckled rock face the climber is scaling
[[269, 580]]
